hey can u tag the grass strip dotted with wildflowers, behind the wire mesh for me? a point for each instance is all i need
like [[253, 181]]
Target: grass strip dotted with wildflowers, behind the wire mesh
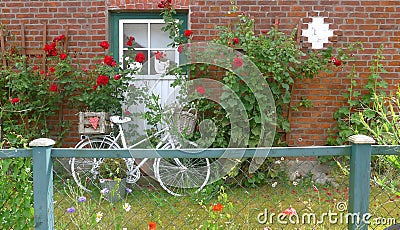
[[250, 207]]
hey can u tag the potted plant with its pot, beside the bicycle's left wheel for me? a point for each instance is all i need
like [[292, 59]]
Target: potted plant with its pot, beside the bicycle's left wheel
[[112, 174]]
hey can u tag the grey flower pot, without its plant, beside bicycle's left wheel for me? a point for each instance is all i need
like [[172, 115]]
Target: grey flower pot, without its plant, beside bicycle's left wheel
[[113, 190]]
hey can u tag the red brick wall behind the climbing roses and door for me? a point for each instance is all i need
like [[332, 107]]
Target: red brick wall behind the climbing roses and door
[[374, 23]]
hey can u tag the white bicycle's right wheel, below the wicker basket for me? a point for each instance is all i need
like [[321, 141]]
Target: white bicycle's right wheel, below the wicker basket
[[180, 176]]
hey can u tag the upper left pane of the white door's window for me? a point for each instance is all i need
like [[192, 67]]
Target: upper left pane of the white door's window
[[139, 31]]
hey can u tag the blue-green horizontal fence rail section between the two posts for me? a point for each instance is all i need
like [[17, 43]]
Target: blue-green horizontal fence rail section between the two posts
[[312, 151]]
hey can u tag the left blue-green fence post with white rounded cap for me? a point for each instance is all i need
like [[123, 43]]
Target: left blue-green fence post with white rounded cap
[[43, 183]]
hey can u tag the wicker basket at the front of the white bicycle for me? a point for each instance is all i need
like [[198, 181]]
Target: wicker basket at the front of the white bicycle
[[185, 121]]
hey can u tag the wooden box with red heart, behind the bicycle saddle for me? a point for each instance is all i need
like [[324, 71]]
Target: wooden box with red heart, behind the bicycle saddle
[[86, 127]]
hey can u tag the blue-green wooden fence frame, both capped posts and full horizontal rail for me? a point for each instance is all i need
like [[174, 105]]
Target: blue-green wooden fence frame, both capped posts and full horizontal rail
[[360, 152]]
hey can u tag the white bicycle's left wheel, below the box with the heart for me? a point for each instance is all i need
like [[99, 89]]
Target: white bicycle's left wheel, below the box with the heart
[[85, 170]]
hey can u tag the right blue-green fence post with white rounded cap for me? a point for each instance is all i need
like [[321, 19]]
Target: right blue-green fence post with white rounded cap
[[359, 187]]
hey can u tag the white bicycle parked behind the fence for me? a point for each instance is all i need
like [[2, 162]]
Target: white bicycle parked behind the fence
[[177, 176]]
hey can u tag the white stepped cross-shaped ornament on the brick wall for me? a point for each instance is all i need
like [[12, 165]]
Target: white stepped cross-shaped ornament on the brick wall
[[318, 32]]
